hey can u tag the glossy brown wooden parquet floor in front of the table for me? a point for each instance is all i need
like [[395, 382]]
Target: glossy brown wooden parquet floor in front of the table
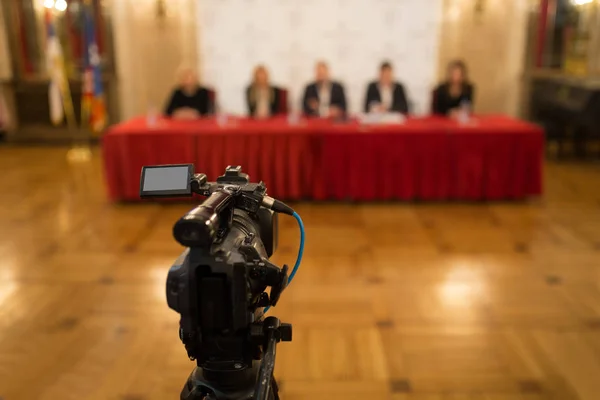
[[393, 301]]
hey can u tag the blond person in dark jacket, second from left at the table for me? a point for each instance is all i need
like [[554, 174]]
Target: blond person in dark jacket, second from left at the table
[[262, 98]]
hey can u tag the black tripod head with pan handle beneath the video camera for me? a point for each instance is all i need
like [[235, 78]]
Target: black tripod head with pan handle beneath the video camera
[[256, 382]]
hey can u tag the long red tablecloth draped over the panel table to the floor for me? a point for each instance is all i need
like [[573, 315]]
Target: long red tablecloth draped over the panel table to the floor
[[492, 158]]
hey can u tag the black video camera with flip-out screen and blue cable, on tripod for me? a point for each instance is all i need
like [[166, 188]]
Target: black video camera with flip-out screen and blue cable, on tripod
[[218, 284]]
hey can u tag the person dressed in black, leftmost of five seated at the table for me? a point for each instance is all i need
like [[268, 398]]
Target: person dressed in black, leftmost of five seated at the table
[[189, 100]]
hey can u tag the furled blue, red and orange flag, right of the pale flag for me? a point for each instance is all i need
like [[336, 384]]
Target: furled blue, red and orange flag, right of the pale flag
[[93, 109]]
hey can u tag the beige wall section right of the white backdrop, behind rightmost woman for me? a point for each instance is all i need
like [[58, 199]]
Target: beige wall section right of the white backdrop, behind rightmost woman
[[490, 36]]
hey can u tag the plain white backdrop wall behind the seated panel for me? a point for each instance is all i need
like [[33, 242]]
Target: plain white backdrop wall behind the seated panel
[[353, 36]]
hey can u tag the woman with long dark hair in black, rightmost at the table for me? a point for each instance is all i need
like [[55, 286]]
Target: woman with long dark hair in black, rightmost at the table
[[449, 96]]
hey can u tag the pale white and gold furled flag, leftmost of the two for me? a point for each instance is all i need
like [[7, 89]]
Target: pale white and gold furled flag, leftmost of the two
[[59, 94]]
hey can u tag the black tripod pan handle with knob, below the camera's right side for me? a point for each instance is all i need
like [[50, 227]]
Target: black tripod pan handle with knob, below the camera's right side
[[271, 331]]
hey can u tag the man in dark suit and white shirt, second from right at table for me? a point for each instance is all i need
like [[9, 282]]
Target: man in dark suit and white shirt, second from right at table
[[386, 95]]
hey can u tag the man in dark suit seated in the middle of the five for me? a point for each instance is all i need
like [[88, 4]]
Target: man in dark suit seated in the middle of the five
[[324, 98]]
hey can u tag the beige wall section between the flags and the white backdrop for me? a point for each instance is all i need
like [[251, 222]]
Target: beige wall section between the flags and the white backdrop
[[149, 48]]
